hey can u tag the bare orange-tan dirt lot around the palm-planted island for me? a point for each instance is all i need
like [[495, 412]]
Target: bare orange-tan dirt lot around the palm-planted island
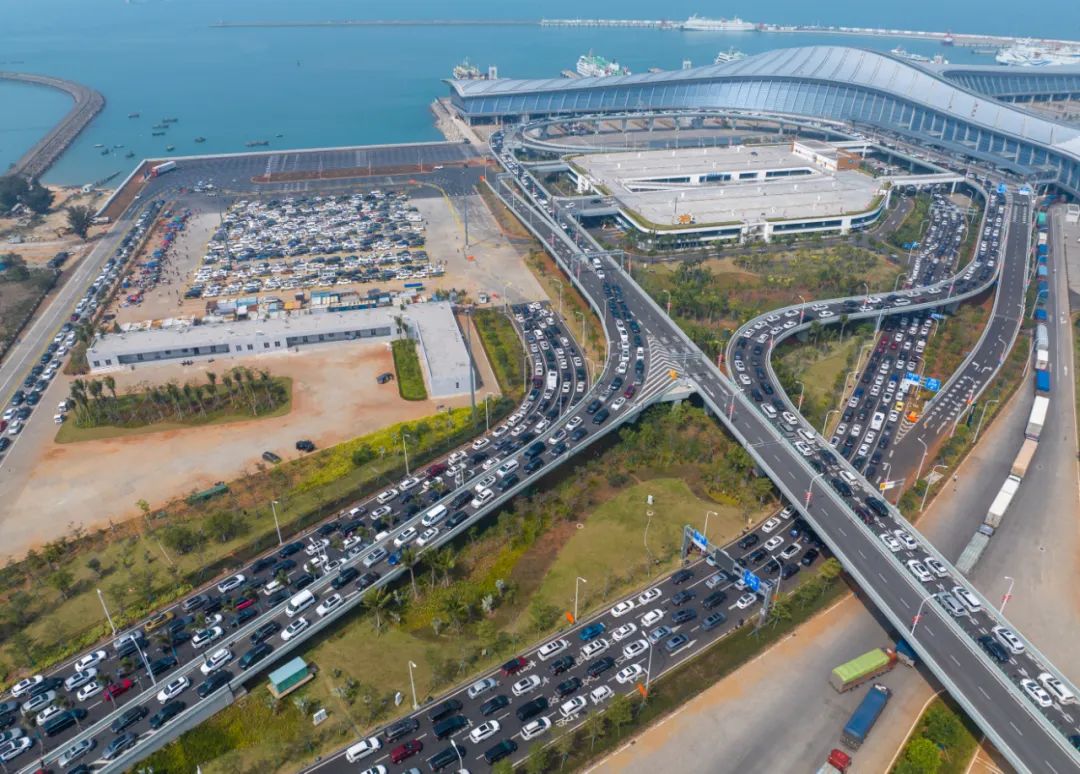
[[49, 486]]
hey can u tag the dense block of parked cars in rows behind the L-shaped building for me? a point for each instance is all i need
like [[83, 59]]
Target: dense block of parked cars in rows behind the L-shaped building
[[298, 243]]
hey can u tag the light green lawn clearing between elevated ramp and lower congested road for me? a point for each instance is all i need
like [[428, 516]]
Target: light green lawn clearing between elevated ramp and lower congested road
[[609, 550]]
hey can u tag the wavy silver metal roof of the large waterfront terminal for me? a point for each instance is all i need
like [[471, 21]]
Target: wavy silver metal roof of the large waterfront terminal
[[862, 67]]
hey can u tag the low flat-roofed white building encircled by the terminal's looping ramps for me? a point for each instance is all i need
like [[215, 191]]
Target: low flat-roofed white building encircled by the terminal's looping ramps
[[738, 193]]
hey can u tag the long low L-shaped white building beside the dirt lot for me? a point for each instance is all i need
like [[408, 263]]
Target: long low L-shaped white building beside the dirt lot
[[444, 355]]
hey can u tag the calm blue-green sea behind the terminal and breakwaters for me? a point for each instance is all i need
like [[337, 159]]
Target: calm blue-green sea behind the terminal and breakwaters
[[352, 86]]
